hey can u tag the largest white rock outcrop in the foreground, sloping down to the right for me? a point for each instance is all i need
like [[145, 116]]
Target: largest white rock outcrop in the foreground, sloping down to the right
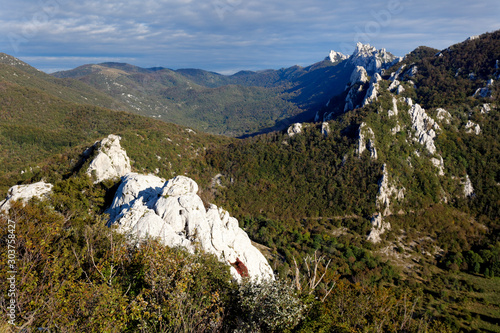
[[146, 205]]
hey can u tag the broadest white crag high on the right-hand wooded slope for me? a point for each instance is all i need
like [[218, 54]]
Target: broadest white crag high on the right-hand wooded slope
[[424, 126]]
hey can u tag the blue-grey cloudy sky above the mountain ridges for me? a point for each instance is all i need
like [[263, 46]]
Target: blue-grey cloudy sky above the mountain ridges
[[226, 36]]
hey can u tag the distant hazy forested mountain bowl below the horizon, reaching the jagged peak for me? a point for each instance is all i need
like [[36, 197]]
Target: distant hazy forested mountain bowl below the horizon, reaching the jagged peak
[[241, 104]]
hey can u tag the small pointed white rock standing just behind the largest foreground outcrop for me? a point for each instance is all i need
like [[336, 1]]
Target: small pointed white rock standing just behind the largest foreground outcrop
[[111, 160]]
